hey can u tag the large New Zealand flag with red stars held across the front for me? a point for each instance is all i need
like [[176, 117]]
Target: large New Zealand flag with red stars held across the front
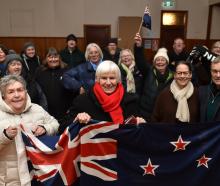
[[133, 155]]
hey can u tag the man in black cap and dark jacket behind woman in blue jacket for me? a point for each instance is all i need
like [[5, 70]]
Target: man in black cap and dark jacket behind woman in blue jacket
[[71, 55]]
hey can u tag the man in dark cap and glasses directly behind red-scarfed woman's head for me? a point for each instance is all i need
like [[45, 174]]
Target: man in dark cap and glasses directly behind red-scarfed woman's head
[[111, 52]]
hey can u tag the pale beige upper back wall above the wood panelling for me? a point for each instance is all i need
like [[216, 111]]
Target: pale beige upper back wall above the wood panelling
[[61, 17]]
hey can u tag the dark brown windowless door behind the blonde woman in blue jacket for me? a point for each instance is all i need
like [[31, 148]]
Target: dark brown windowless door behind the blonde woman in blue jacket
[[99, 34]]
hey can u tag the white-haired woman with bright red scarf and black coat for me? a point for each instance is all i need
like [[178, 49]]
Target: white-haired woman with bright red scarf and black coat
[[106, 101]]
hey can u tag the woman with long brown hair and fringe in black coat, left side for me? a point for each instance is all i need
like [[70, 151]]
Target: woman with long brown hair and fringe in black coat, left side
[[49, 77]]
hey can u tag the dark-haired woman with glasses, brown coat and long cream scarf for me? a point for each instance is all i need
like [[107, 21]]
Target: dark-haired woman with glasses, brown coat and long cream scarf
[[179, 102]]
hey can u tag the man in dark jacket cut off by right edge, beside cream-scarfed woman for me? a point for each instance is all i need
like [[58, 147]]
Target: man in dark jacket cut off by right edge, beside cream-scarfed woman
[[209, 95]]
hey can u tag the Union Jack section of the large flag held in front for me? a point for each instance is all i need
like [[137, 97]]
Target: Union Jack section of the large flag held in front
[[53, 160]]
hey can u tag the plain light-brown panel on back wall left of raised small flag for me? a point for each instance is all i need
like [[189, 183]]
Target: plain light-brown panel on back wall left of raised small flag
[[127, 28]]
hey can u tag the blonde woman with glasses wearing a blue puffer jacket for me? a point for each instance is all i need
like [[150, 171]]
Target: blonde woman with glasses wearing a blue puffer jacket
[[82, 77]]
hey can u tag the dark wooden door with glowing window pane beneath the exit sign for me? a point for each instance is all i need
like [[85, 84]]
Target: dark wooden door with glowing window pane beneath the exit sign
[[173, 25]]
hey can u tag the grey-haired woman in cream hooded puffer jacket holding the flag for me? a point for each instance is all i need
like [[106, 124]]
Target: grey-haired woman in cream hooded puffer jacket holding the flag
[[15, 109]]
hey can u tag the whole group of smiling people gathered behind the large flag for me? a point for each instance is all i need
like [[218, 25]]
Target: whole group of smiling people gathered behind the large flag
[[106, 85]]
